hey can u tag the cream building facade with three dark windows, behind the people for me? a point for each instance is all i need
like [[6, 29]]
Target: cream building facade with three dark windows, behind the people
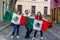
[[34, 6]]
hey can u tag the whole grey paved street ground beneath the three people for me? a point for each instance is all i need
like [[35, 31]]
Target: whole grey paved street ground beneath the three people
[[51, 34]]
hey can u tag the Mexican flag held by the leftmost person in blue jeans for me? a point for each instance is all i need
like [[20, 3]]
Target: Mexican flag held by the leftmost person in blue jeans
[[14, 18]]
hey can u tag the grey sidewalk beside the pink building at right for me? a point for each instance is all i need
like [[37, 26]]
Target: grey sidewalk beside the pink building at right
[[55, 29]]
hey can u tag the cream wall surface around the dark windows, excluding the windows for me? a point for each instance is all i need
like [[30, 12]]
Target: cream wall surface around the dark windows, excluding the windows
[[39, 6]]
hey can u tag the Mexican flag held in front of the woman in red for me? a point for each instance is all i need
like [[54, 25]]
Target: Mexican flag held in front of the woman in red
[[37, 24]]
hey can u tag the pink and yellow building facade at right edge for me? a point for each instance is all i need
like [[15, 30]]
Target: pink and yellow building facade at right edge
[[55, 10]]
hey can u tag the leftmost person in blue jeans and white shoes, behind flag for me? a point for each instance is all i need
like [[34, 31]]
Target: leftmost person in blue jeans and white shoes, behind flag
[[16, 26]]
